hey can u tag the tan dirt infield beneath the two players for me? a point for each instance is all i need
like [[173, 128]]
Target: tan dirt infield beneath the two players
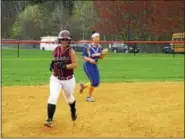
[[120, 110]]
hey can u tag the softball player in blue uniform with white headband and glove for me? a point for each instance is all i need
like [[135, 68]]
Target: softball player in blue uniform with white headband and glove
[[91, 54]]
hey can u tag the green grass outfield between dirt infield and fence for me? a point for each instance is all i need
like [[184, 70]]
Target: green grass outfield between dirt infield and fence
[[32, 67]]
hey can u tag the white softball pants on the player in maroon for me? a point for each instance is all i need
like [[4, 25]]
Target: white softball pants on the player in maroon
[[56, 85]]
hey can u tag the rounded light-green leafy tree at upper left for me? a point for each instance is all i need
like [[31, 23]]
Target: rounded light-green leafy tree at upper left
[[32, 23]]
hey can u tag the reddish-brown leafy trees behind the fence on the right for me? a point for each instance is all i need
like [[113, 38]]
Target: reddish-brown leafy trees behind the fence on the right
[[140, 19]]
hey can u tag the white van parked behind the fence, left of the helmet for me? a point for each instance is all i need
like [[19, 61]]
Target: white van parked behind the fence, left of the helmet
[[48, 46]]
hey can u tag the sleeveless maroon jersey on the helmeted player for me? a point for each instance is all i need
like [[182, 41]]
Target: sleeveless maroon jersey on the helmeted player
[[62, 56]]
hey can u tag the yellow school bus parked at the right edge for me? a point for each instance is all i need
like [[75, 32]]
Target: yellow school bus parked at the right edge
[[178, 47]]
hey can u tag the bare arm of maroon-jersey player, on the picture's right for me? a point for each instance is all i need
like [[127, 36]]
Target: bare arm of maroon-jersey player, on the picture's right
[[74, 60]]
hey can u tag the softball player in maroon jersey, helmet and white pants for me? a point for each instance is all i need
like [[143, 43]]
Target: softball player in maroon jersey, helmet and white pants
[[63, 64]]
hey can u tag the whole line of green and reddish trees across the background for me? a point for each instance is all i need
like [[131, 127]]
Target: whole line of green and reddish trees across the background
[[115, 20]]
